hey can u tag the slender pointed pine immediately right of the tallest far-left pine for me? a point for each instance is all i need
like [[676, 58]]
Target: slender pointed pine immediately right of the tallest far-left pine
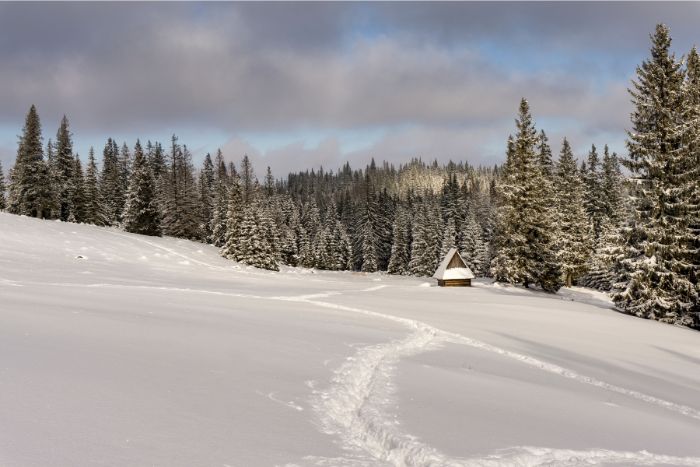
[[64, 170]]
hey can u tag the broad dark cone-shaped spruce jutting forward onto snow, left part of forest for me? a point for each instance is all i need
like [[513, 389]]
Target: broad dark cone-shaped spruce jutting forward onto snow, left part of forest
[[141, 213]]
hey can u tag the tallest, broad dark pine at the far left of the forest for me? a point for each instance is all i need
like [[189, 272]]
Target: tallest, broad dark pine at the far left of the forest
[[30, 187]]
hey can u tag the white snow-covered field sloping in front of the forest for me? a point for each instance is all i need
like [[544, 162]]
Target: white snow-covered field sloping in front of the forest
[[122, 350]]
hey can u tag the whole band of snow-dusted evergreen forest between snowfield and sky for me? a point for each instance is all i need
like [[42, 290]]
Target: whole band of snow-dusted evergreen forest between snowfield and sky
[[536, 220]]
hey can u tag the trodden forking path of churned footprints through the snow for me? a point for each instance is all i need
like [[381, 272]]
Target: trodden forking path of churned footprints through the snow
[[354, 407]]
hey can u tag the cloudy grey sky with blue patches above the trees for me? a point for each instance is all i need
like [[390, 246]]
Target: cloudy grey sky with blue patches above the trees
[[302, 85]]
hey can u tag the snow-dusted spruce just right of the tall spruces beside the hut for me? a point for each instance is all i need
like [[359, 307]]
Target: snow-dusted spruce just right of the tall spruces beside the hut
[[575, 233]]
